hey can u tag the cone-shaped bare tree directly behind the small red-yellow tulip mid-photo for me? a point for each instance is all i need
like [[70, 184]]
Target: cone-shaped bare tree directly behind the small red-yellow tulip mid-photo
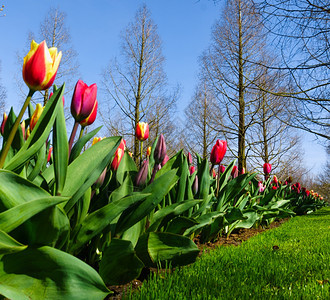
[[137, 83]]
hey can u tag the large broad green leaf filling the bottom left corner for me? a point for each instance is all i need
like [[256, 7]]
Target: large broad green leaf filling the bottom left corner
[[48, 273]]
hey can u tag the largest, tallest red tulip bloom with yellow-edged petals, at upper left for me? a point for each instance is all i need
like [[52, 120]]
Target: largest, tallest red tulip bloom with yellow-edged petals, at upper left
[[40, 66]]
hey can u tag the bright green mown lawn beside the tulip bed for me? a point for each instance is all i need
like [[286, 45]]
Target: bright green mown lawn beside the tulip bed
[[299, 269]]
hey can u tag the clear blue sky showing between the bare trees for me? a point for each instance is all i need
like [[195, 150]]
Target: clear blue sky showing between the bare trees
[[184, 27]]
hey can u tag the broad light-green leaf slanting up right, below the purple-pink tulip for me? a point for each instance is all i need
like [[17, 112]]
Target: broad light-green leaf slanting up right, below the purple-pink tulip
[[87, 168]]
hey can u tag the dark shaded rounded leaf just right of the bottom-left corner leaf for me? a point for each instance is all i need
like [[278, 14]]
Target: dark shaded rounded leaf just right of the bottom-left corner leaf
[[119, 264]]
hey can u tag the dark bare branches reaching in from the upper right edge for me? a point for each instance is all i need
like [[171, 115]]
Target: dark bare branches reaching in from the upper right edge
[[300, 29]]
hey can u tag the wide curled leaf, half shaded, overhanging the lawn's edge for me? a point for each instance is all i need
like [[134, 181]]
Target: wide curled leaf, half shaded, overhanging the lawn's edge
[[165, 248]]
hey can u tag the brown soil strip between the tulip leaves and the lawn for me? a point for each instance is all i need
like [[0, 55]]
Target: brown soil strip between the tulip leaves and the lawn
[[234, 239]]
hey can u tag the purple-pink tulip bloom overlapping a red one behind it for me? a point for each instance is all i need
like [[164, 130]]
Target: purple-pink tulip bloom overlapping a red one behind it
[[83, 100]]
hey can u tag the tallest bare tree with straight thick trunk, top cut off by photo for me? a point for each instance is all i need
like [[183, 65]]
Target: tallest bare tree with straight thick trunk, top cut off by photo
[[236, 38]]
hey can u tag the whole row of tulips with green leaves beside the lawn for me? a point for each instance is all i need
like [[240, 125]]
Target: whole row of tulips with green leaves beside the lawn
[[73, 222]]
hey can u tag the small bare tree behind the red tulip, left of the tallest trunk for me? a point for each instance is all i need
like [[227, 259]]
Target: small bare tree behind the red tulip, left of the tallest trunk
[[202, 121]]
